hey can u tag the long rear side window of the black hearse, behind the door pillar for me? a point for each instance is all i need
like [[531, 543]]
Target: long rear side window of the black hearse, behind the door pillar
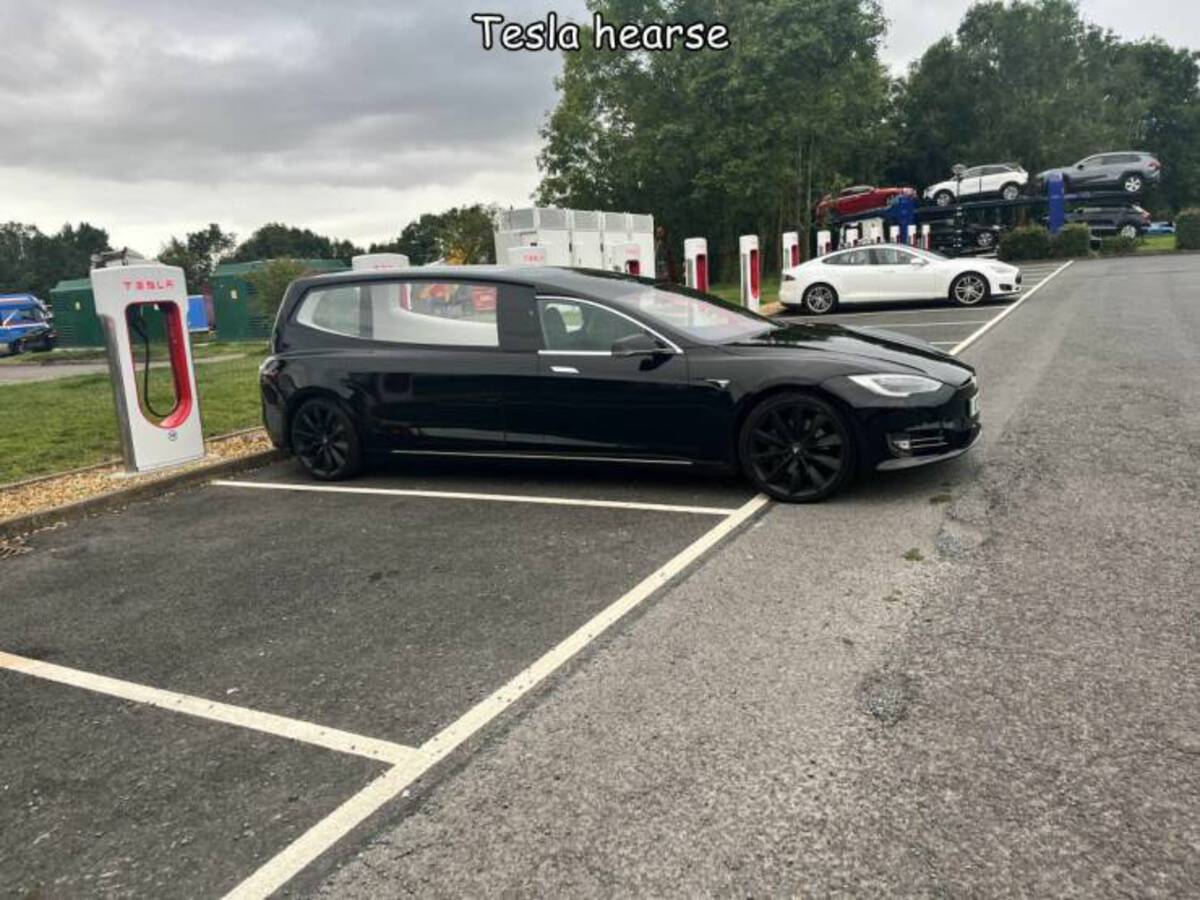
[[442, 314]]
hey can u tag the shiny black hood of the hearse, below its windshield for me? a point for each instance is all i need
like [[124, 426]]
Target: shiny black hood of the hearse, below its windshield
[[867, 347]]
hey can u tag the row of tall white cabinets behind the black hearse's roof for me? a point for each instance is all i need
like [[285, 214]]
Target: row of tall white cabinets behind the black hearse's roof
[[586, 239]]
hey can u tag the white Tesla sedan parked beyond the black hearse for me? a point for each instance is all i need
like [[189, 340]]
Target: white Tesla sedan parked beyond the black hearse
[[889, 273]]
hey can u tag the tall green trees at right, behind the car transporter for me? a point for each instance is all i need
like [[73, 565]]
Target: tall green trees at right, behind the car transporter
[[747, 141]]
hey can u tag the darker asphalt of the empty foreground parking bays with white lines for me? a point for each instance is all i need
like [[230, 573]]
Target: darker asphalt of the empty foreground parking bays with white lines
[[362, 635]]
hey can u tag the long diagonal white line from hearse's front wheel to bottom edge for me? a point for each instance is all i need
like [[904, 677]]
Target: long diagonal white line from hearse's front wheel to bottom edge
[[323, 836]]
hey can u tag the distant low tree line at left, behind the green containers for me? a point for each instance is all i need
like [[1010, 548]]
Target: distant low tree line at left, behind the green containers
[[34, 262]]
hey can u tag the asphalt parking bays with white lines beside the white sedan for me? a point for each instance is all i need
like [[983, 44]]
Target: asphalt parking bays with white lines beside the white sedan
[[940, 323]]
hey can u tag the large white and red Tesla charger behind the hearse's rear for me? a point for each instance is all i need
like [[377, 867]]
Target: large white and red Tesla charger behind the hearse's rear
[[152, 439]]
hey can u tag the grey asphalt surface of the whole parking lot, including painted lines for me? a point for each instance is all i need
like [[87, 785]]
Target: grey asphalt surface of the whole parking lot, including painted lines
[[211, 692]]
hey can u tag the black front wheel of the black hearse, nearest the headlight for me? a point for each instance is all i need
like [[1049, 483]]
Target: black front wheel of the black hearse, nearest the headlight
[[797, 448]]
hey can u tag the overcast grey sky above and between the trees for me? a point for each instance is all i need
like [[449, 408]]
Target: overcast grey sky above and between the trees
[[153, 118]]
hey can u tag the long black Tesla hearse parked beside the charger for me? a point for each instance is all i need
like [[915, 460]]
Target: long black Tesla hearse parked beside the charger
[[569, 364]]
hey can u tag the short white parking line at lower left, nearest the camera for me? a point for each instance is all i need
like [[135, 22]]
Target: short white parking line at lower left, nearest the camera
[[268, 723]]
